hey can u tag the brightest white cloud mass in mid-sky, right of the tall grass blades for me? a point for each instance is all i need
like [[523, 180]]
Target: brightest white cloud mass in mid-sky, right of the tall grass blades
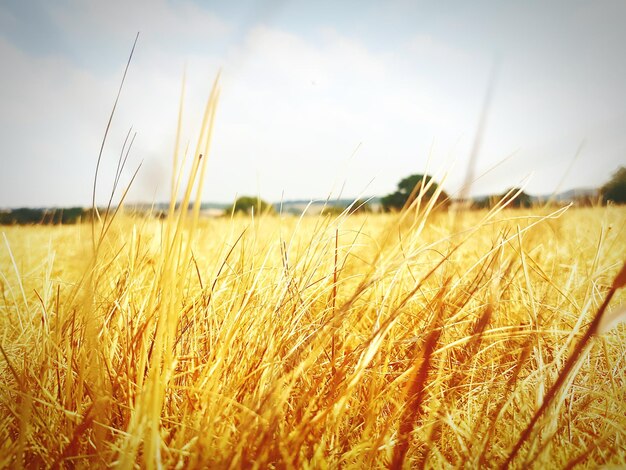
[[293, 112]]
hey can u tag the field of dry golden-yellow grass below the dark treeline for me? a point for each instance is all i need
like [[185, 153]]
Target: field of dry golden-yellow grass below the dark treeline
[[419, 339]]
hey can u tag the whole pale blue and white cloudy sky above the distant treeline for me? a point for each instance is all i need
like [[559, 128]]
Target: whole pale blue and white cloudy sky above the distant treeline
[[317, 99]]
